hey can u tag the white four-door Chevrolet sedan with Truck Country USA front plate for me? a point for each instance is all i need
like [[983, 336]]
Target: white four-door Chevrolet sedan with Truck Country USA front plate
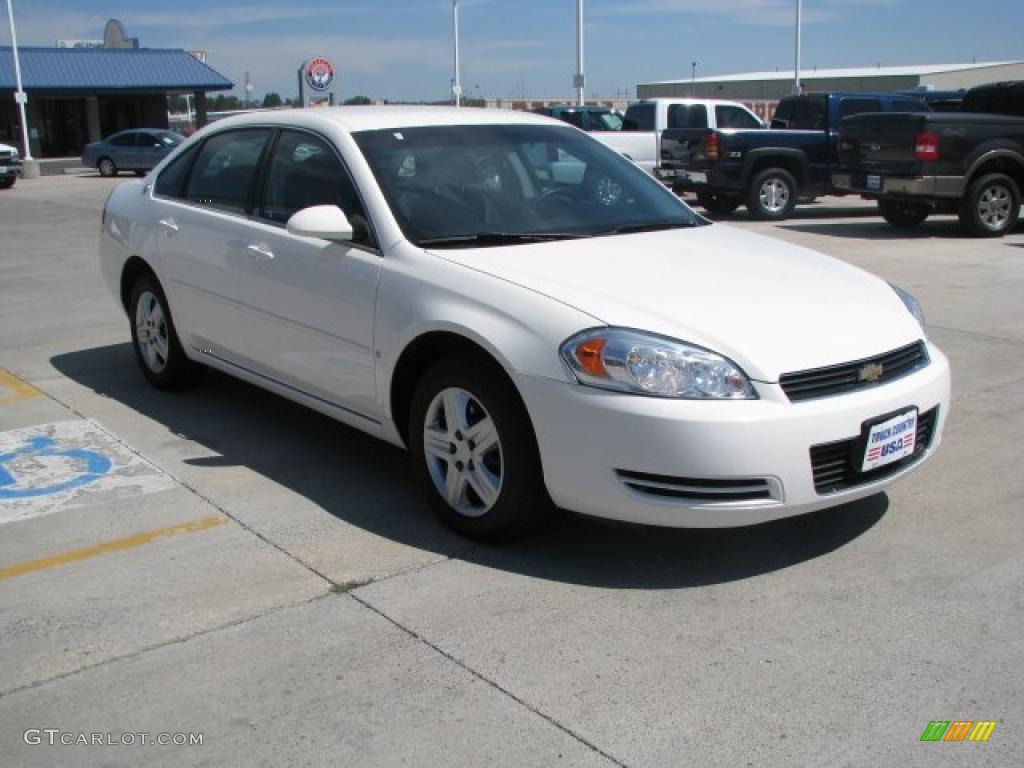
[[531, 315]]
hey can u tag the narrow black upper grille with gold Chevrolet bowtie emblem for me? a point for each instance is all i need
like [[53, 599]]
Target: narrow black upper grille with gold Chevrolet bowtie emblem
[[825, 382]]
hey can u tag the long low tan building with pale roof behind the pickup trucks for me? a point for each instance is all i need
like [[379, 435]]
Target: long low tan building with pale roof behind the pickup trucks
[[772, 87]]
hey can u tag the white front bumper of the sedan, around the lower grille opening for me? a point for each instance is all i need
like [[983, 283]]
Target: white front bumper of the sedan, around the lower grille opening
[[586, 436]]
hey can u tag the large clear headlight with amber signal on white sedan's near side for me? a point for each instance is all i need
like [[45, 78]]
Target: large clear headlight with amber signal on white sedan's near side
[[644, 364]]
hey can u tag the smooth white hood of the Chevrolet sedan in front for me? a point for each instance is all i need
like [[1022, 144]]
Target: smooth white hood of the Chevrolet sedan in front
[[772, 307]]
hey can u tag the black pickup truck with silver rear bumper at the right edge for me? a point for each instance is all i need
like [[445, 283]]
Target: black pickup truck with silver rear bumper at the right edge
[[970, 163]]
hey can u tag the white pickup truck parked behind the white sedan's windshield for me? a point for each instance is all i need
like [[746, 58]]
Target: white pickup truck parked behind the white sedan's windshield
[[641, 138]]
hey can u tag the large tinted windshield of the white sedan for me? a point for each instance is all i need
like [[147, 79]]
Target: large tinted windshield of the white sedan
[[490, 185]]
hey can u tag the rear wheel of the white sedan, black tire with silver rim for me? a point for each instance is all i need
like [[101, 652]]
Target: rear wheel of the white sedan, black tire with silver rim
[[172, 370]]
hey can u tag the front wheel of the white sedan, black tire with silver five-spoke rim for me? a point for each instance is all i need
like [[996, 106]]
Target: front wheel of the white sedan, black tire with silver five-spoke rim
[[521, 500]]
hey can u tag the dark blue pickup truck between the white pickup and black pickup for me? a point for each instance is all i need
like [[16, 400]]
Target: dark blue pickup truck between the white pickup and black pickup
[[770, 170]]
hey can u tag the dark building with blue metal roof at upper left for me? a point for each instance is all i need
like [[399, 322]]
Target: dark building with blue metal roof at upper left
[[81, 94]]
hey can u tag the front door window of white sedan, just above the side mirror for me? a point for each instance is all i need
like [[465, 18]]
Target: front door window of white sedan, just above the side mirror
[[305, 172]]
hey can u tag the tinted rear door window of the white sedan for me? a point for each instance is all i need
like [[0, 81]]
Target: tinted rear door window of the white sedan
[[225, 169]]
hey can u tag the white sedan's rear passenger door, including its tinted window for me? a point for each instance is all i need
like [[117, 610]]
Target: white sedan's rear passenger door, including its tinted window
[[203, 227]]
